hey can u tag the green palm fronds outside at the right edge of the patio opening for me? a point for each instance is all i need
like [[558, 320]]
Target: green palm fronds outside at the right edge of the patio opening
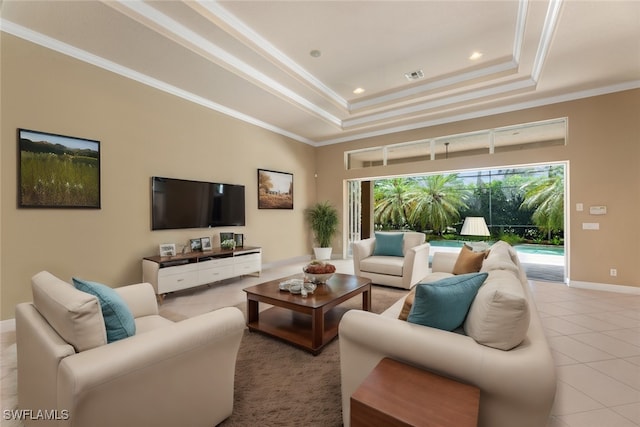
[[546, 196]]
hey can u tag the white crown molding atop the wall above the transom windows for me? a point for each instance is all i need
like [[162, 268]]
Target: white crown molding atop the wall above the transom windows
[[487, 112]]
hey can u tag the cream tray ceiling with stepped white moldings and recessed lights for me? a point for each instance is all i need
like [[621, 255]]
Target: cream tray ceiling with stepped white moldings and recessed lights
[[292, 66]]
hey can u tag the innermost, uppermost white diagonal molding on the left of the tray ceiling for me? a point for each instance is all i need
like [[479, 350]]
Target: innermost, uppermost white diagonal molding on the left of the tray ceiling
[[216, 13]]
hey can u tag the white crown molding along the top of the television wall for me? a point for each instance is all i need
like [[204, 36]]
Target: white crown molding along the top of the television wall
[[89, 58]]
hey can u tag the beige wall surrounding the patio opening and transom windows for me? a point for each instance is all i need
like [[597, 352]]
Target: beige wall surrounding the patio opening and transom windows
[[603, 153]]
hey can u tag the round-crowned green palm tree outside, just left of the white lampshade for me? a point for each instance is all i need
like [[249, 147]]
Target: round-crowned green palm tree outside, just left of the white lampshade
[[435, 201]]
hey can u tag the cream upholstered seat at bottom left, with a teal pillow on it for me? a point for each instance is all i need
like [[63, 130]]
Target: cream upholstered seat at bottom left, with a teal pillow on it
[[167, 374]]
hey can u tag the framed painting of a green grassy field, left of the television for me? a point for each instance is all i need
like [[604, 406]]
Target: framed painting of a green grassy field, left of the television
[[56, 171]]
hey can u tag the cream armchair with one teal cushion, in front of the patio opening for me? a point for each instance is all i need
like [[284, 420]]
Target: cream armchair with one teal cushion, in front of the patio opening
[[403, 270]]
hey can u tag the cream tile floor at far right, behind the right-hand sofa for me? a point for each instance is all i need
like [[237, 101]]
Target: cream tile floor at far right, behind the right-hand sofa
[[595, 340]]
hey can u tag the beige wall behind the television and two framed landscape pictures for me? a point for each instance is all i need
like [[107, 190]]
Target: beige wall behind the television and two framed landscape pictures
[[142, 132]]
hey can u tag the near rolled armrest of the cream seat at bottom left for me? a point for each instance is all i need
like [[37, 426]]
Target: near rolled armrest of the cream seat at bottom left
[[181, 374]]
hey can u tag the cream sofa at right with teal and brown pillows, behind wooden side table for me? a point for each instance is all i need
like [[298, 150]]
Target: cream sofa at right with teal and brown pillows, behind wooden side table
[[517, 386]]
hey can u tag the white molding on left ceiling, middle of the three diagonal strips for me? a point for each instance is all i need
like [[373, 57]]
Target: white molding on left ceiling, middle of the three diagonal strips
[[145, 14]]
